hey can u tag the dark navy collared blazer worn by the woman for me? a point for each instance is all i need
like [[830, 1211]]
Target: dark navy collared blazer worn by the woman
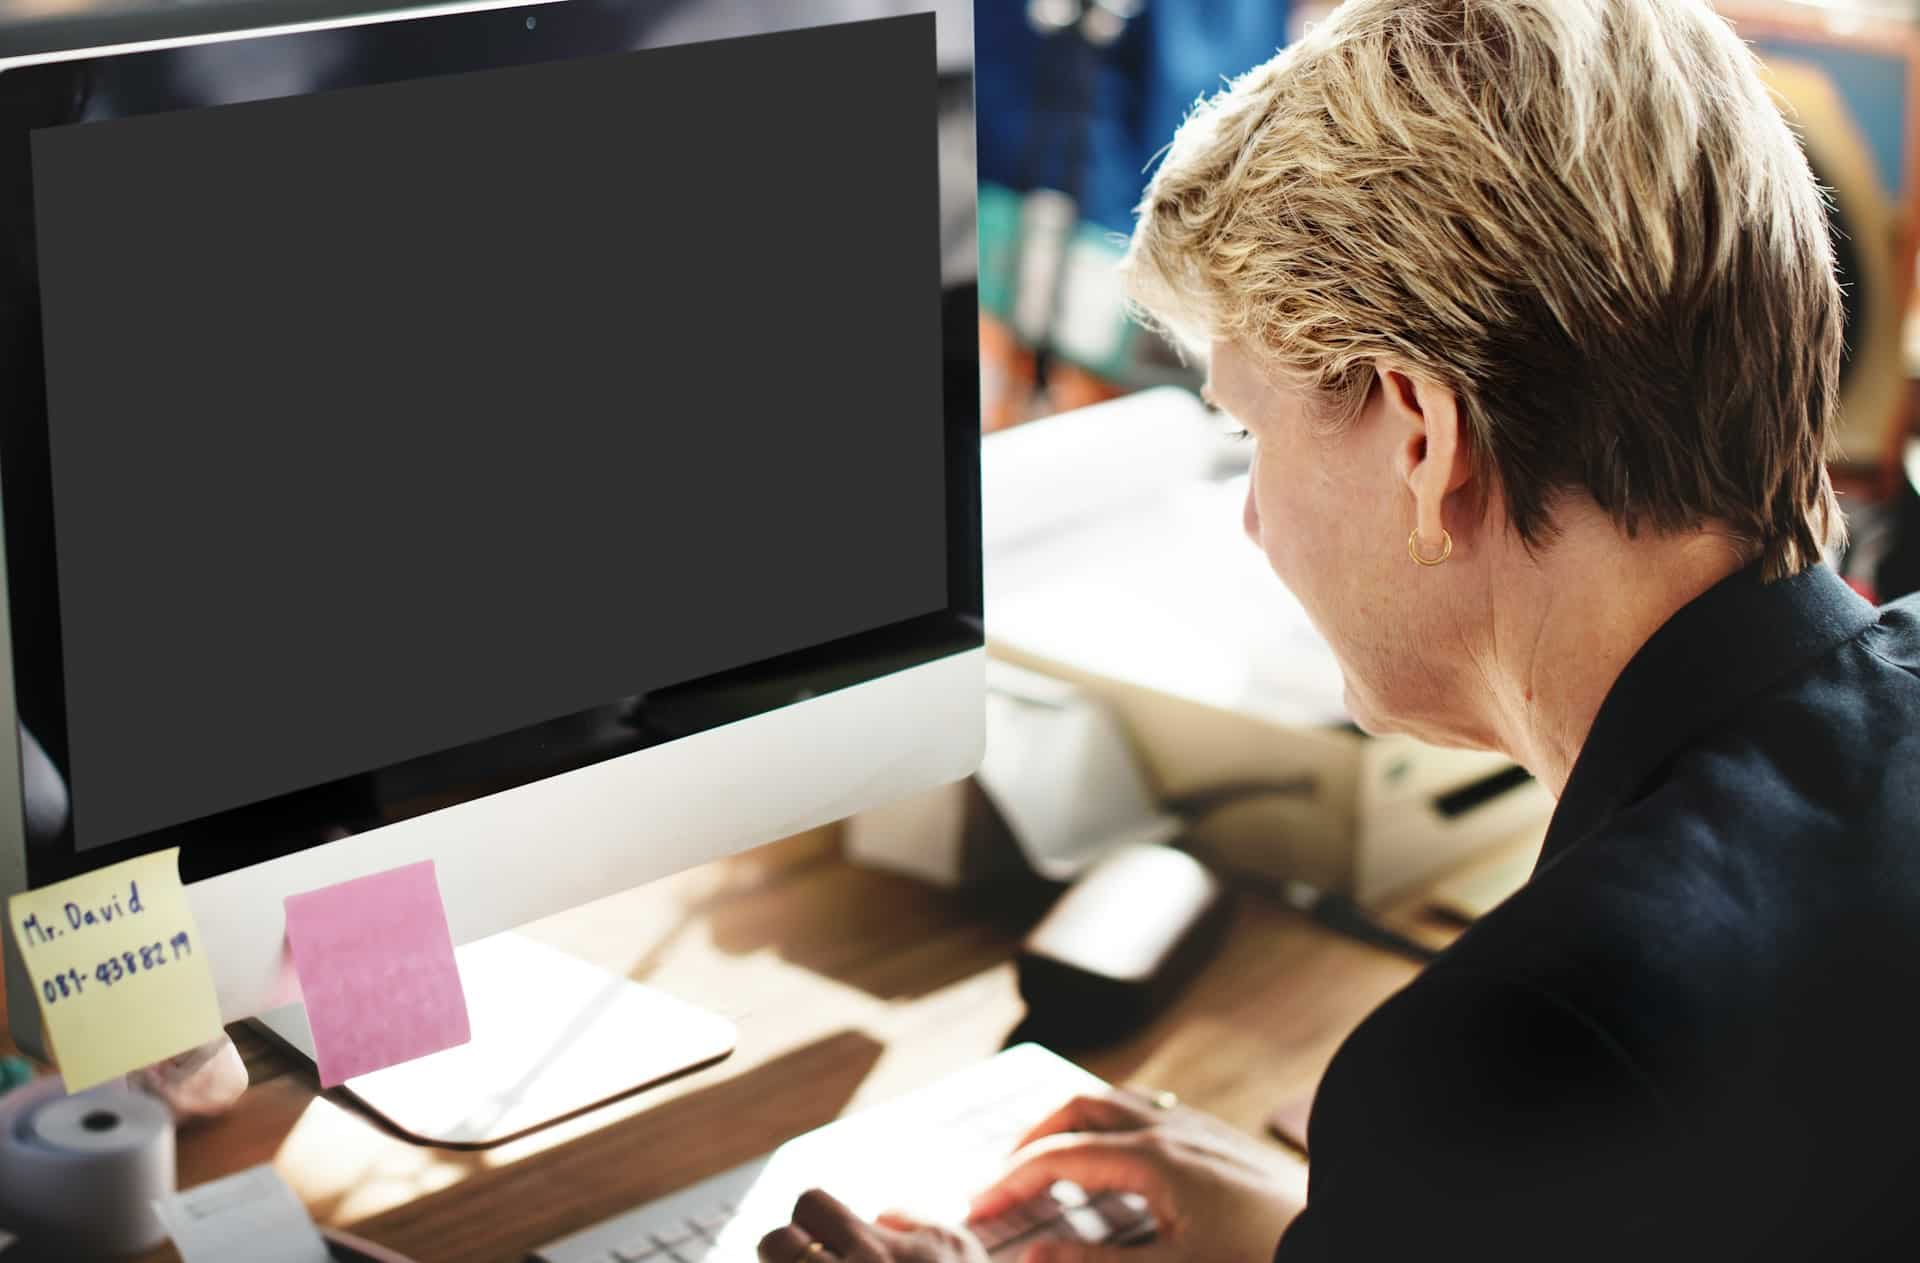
[[1696, 1032]]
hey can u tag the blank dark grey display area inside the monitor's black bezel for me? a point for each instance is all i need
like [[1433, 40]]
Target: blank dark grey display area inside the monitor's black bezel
[[400, 417]]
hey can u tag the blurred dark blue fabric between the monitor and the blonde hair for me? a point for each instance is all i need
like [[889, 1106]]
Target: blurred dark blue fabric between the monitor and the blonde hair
[[1140, 91]]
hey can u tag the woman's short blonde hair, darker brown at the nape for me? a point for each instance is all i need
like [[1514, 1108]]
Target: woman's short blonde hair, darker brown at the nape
[[1589, 218]]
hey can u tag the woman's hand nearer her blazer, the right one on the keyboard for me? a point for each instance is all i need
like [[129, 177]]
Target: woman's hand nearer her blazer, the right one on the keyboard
[[1214, 1191]]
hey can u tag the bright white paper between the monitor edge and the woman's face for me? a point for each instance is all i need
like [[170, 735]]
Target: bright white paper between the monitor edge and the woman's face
[[1113, 544]]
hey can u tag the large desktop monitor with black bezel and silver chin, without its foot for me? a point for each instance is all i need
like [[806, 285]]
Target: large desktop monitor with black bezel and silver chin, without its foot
[[531, 439]]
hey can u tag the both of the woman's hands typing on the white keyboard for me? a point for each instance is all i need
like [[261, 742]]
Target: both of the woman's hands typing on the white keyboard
[[1197, 1185]]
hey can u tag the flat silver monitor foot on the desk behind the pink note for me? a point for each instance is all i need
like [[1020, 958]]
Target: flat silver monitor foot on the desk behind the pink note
[[552, 1037]]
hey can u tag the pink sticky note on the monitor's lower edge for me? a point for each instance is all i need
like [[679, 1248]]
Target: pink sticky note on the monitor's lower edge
[[377, 970]]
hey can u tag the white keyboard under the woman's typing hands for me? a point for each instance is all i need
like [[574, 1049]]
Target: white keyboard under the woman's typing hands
[[924, 1155]]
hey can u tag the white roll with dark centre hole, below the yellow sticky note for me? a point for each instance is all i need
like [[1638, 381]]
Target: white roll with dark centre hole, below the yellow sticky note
[[84, 1172]]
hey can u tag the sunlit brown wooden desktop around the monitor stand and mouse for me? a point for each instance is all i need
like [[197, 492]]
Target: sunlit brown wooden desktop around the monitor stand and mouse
[[850, 988]]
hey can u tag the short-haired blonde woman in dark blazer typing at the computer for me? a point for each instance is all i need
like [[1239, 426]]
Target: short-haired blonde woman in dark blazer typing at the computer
[[1529, 312]]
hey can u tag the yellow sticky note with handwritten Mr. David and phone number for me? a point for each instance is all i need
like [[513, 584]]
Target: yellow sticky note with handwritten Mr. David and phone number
[[120, 968]]
